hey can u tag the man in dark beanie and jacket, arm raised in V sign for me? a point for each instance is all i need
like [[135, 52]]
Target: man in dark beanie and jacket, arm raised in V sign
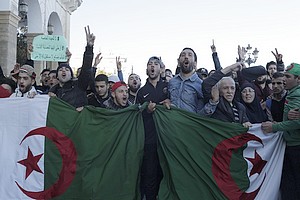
[[74, 91]]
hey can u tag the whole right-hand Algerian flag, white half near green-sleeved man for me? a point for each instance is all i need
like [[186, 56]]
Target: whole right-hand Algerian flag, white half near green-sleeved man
[[203, 158]]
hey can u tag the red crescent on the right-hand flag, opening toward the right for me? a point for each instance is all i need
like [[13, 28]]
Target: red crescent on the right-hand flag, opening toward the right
[[221, 166]]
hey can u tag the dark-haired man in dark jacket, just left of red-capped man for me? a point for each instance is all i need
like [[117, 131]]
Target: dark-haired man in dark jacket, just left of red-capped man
[[101, 93]]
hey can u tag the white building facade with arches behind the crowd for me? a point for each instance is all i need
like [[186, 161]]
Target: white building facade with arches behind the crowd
[[25, 19]]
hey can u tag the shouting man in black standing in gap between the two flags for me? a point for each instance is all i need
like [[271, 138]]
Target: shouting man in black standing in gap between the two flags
[[154, 91]]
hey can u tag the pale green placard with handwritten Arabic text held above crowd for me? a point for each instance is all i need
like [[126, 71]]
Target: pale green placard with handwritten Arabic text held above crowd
[[49, 48]]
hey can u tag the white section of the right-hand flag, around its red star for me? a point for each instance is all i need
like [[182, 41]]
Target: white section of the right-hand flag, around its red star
[[271, 150]]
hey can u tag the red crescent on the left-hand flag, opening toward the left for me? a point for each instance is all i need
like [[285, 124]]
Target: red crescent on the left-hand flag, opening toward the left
[[68, 153]]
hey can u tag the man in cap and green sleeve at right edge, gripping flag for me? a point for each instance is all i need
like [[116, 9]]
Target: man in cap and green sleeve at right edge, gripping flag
[[290, 180]]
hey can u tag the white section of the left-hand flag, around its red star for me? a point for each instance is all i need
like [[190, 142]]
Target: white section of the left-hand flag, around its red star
[[18, 116]]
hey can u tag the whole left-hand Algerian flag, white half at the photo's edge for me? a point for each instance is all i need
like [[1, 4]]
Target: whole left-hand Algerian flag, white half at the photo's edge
[[49, 150]]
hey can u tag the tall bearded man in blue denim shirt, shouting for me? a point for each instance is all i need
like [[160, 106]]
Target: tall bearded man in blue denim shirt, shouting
[[186, 87]]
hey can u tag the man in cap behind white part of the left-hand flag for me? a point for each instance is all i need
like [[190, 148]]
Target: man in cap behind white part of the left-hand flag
[[26, 79]]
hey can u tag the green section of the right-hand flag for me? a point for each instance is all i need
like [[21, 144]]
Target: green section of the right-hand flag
[[187, 145]]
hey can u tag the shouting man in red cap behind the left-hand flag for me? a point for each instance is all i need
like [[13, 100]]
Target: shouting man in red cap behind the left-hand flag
[[119, 97]]
